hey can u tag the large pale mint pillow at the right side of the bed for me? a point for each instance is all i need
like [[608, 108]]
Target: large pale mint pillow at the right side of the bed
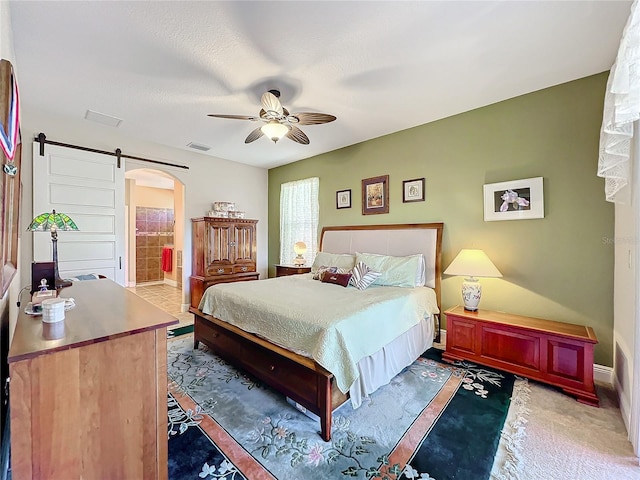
[[395, 271]]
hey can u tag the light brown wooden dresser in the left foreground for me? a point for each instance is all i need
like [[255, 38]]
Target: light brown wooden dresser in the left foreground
[[88, 395]]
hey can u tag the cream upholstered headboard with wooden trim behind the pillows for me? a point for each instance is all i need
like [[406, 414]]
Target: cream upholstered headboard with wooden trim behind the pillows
[[398, 240]]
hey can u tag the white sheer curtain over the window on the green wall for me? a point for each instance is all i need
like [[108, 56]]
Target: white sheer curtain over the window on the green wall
[[299, 213]]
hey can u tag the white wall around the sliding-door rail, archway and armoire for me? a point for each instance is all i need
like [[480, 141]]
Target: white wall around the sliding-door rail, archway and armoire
[[207, 180]]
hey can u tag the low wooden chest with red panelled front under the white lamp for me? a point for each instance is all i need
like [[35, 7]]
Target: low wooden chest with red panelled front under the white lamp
[[557, 353]]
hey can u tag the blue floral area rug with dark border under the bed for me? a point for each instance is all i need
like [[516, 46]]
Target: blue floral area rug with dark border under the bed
[[433, 421]]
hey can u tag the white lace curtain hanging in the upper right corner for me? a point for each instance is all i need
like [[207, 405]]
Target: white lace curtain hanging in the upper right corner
[[621, 109]]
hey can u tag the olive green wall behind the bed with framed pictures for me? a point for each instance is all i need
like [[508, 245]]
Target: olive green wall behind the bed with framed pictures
[[559, 267]]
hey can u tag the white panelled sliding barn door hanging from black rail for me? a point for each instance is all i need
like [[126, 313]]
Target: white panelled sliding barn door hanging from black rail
[[89, 187]]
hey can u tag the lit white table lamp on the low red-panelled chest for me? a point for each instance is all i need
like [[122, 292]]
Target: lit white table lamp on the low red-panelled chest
[[471, 264]]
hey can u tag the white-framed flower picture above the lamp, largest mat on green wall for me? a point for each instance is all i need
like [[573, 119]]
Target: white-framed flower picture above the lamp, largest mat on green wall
[[514, 200]]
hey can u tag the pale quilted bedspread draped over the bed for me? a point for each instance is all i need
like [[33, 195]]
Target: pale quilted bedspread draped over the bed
[[336, 326]]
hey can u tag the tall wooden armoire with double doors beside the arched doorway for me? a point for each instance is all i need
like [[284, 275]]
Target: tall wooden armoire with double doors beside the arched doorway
[[223, 250]]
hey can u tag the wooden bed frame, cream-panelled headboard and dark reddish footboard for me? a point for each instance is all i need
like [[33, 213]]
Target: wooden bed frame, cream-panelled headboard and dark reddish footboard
[[298, 377]]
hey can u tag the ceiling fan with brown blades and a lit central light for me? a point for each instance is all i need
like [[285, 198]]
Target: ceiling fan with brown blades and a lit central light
[[278, 122]]
